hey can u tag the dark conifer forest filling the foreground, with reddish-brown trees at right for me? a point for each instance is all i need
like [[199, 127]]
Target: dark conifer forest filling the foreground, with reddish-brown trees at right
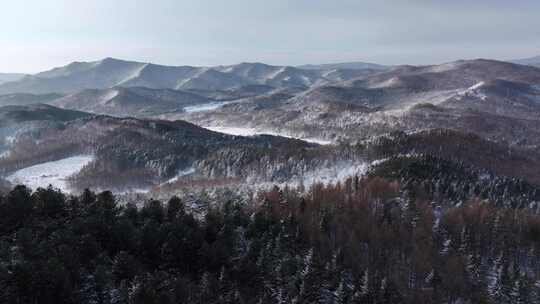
[[366, 240]]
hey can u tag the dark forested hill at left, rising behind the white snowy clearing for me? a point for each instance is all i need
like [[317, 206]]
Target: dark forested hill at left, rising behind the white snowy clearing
[[127, 153]]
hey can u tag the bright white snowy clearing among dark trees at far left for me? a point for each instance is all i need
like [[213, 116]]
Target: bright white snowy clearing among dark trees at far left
[[52, 173]]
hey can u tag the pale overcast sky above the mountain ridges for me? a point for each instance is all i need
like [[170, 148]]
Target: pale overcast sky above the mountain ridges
[[39, 34]]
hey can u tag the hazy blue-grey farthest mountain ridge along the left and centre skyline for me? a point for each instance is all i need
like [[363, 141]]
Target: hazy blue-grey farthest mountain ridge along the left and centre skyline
[[109, 72]]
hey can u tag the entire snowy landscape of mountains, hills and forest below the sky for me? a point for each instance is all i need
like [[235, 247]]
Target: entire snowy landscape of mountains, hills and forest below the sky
[[328, 183]]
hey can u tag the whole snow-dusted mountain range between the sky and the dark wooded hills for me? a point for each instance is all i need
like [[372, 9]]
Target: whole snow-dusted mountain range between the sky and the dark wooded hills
[[321, 101]]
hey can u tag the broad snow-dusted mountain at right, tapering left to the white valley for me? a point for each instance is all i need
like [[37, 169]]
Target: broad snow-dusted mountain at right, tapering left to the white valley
[[497, 100]]
